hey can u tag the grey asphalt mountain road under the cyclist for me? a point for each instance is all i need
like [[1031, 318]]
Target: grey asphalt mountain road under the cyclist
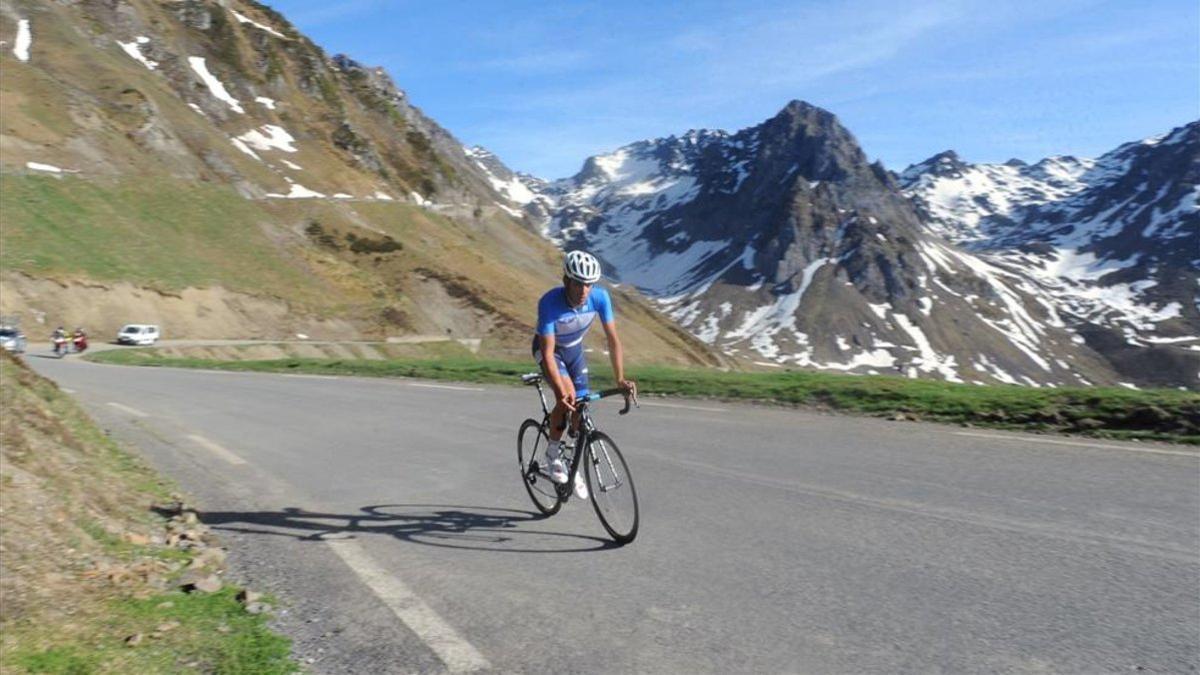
[[389, 518]]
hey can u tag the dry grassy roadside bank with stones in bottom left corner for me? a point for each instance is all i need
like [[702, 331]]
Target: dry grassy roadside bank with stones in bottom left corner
[[88, 571]]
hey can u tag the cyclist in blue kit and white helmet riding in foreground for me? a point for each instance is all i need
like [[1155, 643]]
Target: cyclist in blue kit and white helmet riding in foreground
[[565, 316]]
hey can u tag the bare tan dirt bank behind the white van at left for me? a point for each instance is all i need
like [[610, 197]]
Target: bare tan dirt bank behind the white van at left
[[214, 313]]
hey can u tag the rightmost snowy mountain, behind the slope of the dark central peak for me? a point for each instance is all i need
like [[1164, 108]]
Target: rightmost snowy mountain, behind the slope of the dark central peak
[[1114, 243]]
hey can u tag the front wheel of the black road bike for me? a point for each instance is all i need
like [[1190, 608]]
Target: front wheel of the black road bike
[[613, 488]]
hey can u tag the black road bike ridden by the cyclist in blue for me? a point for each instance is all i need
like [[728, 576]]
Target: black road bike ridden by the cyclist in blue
[[609, 480]]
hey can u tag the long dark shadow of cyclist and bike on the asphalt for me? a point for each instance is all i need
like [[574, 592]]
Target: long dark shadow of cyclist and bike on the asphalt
[[434, 525]]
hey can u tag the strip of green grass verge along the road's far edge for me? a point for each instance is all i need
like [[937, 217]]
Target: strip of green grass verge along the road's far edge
[[1163, 415]]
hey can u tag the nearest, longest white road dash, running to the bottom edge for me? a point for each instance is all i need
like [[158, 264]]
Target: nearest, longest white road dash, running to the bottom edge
[[458, 654]]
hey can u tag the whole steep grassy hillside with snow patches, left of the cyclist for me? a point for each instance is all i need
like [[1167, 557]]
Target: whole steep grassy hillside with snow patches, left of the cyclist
[[160, 196]]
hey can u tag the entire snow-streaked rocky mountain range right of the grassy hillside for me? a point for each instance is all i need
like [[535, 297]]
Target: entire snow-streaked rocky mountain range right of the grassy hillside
[[782, 244]]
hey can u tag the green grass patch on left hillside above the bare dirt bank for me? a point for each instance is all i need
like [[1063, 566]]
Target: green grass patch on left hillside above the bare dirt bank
[[160, 234]]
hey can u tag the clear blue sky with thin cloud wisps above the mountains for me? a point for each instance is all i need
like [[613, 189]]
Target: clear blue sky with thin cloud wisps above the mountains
[[547, 85]]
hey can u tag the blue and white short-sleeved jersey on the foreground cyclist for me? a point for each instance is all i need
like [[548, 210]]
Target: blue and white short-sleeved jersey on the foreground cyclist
[[569, 325]]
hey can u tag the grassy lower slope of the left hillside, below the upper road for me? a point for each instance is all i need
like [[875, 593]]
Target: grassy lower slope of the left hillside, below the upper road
[[387, 267]]
